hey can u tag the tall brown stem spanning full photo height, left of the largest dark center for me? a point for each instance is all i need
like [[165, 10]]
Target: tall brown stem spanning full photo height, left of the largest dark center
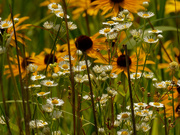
[[71, 72]]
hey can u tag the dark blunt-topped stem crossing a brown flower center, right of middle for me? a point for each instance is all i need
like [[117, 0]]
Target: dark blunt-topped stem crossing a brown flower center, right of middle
[[131, 98]]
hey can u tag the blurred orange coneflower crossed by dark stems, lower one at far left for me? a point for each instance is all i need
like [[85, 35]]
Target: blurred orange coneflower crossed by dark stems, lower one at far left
[[24, 62]]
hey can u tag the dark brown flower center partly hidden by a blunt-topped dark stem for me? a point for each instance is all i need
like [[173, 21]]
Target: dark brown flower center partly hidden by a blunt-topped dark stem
[[121, 61]]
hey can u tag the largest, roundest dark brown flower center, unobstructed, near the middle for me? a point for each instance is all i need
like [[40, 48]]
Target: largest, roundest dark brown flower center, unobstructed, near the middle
[[83, 43]]
